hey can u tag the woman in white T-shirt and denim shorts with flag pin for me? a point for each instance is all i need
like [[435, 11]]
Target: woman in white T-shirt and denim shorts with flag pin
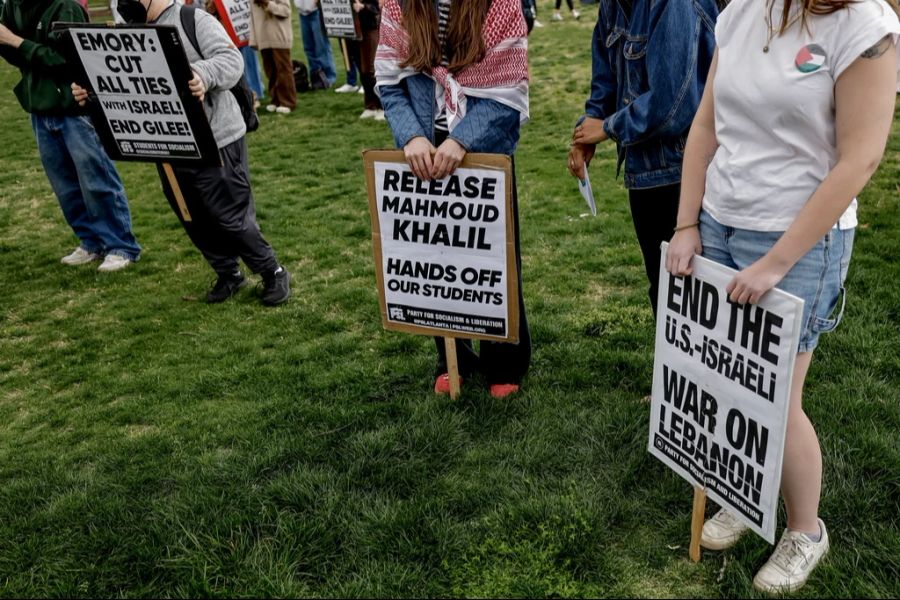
[[789, 133]]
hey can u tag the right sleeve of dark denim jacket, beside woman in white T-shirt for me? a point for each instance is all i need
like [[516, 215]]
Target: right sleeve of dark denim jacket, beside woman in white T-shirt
[[675, 86]]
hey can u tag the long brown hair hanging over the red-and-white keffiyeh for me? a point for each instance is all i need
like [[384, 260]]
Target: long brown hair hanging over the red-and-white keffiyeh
[[465, 44]]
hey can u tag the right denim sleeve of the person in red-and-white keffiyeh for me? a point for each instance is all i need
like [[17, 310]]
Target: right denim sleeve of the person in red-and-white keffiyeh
[[488, 127]]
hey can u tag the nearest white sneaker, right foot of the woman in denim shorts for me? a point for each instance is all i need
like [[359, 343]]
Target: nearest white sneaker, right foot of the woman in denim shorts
[[793, 560]]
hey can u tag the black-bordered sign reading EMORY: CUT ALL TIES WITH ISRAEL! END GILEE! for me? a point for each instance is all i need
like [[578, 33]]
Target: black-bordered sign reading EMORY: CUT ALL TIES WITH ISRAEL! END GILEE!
[[143, 109]]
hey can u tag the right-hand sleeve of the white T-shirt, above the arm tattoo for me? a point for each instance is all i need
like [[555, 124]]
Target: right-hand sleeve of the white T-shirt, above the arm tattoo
[[867, 23]]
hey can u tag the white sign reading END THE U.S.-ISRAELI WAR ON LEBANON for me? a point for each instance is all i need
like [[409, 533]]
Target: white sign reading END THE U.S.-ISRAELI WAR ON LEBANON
[[721, 386]]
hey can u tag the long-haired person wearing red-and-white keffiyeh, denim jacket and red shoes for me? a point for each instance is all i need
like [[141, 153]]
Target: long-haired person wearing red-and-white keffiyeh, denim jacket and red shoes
[[453, 78]]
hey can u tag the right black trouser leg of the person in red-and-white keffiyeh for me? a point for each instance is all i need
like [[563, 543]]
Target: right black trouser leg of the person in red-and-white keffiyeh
[[508, 363]]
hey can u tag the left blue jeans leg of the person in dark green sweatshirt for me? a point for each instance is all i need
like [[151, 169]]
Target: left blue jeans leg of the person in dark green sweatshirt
[[63, 177]]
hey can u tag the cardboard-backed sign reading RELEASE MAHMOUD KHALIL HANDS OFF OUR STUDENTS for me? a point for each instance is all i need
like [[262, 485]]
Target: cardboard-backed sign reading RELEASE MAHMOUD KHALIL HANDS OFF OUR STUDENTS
[[445, 249]]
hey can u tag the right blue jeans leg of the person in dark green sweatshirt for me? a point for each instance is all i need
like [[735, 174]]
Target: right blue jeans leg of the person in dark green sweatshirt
[[101, 187]]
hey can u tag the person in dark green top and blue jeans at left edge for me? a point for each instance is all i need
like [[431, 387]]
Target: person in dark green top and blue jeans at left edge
[[81, 174]]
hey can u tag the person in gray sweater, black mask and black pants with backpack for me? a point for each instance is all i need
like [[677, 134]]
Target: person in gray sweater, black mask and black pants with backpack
[[220, 199]]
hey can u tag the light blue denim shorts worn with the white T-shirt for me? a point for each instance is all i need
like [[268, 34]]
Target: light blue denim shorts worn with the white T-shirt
[[817, 278]]
